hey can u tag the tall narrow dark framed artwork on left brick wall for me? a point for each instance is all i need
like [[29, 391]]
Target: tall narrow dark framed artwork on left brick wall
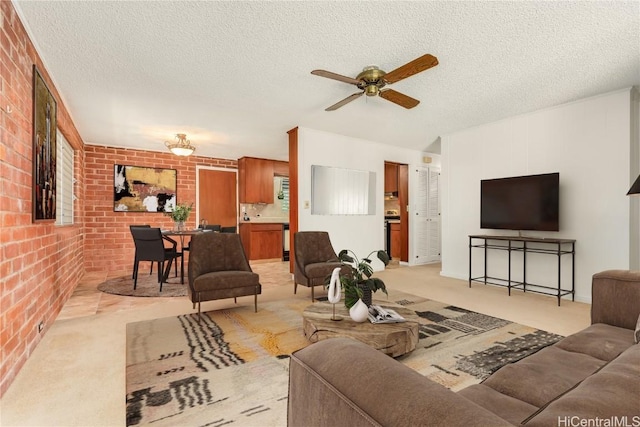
[[44, 150]]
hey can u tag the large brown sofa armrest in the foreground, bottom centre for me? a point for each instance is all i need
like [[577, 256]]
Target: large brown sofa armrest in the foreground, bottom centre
[[343, 382]]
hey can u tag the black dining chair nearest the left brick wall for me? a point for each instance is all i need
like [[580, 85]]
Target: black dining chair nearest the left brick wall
[[150, 247]]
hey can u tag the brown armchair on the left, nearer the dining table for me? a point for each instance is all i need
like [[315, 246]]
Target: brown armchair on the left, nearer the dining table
[[218, 269]]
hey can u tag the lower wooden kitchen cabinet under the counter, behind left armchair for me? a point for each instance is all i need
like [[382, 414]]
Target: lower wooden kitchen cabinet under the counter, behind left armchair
[[262, 240]]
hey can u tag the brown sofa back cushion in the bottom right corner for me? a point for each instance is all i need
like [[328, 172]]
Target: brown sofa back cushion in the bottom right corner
[[614, 391]]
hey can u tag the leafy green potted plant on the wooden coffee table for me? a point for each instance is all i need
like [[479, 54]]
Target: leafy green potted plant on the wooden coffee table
[[358, 283]]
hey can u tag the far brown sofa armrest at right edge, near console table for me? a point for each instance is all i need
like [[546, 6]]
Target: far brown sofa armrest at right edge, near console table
[[615, 298]]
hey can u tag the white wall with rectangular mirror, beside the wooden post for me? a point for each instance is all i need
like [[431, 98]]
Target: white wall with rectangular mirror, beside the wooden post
[[360, 233]]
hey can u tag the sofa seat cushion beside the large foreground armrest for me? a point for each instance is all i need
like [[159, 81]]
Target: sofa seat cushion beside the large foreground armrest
[[506, 407]]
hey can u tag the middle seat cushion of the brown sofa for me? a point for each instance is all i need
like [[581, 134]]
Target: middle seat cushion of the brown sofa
[[541, 377]]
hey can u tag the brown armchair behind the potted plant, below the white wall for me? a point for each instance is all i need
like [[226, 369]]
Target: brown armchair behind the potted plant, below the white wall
[[315, 259]]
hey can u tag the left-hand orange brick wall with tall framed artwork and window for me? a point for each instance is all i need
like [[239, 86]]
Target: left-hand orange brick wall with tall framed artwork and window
[[40, 264]]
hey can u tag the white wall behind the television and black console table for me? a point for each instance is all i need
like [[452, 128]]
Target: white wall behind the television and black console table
[[589, 143]]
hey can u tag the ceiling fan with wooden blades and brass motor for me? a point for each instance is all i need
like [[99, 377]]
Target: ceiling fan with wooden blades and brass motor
[[372, 79]]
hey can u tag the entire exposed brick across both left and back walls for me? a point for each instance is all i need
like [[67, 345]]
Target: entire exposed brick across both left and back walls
[[41, 264]]
